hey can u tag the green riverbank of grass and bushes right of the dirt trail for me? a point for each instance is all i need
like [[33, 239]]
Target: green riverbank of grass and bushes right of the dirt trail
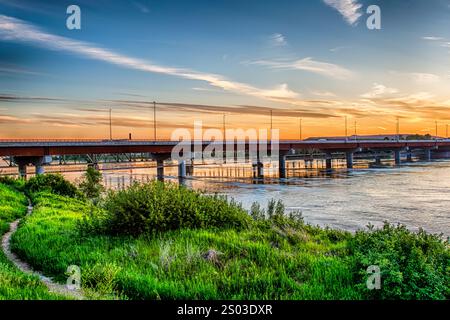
[[264, 255]]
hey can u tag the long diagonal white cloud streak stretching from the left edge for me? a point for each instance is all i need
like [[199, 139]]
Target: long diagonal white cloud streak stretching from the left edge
[[12, 29]]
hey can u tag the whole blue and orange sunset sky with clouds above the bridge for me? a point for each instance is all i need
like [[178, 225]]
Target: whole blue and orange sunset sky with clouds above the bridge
[[236, 60]]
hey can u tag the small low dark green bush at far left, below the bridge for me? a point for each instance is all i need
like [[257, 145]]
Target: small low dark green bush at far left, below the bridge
[[54, 183]]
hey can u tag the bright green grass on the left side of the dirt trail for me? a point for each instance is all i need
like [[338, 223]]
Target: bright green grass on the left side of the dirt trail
[[15, 285]]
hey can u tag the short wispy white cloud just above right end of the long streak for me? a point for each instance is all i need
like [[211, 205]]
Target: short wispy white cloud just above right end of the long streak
[[309, 64]]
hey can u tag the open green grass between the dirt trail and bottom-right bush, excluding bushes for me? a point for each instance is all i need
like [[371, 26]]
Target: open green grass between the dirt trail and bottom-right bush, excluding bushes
[[253, 264]]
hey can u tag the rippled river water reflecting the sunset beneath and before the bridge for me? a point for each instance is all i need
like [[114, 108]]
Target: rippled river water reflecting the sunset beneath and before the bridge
[[415, 194]]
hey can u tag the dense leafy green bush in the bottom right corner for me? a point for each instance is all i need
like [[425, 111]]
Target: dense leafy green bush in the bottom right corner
[[413, 265]]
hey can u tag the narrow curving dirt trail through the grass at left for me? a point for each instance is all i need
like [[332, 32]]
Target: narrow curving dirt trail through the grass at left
[[26, 268]]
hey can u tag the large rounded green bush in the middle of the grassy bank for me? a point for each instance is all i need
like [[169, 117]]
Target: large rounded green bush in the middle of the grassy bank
[[157, 206]]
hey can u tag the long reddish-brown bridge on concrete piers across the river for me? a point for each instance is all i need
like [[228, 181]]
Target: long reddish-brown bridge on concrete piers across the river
[[39, 152]]
